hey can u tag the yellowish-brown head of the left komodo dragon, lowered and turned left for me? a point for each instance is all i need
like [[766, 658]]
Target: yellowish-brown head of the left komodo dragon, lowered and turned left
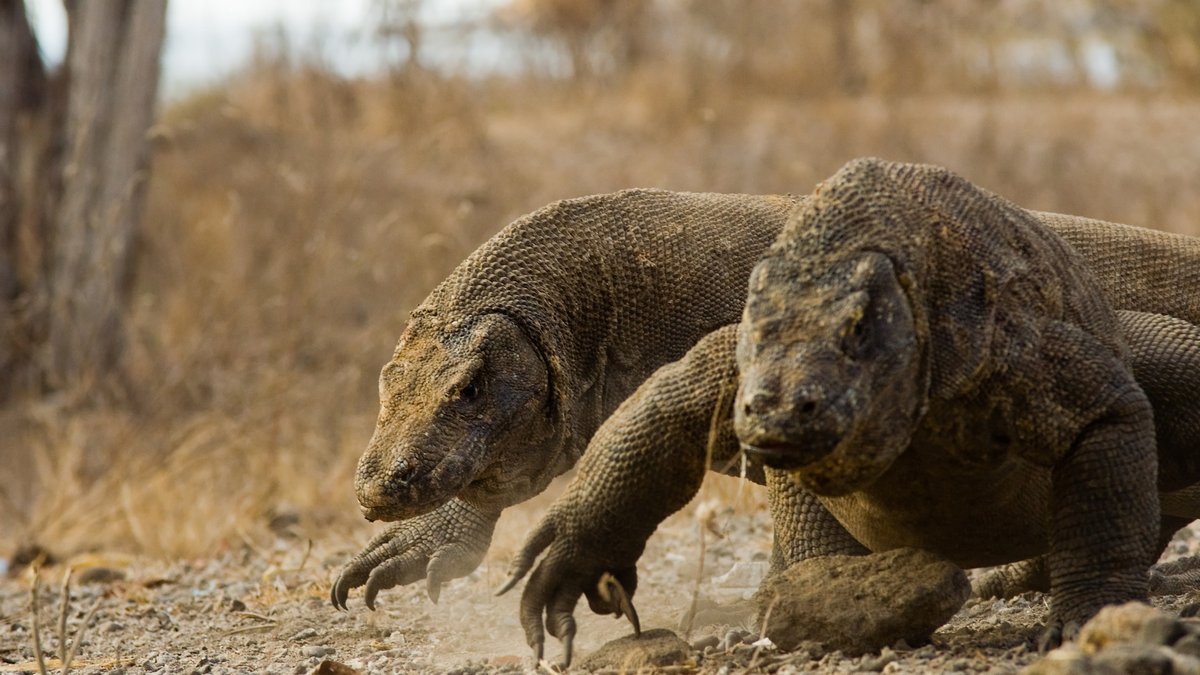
[[464, 408]]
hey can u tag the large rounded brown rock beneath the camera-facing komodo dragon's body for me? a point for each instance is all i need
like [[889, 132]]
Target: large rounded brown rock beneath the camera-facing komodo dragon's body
[[862, 604]]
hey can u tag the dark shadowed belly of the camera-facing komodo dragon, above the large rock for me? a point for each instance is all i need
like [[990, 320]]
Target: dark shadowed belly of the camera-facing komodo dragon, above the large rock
[[974, 516]]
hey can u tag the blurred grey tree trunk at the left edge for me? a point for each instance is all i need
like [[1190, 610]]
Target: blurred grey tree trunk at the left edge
[[80, 207]]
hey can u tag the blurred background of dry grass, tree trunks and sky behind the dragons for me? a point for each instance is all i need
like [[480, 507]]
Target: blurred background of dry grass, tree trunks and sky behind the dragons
[[215, 217]]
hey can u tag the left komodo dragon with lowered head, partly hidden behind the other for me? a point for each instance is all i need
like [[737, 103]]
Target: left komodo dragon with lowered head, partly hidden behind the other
[[509, 367]]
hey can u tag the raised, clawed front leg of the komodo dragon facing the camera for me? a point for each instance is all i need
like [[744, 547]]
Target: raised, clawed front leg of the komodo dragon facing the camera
[[644, 464]]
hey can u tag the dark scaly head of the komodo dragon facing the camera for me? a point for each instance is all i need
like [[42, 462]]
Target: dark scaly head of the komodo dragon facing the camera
[[831, 371]]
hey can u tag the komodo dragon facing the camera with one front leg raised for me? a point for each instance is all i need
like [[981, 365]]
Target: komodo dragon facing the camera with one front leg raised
[[620, 495]]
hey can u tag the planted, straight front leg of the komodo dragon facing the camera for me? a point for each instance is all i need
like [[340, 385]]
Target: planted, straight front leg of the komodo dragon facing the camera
[[1105, 516]]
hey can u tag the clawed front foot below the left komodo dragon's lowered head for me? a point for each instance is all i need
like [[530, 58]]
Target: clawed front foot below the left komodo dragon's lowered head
[[443, 545]]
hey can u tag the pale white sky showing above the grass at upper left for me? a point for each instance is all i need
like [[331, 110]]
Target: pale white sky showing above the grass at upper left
[[207, 39]]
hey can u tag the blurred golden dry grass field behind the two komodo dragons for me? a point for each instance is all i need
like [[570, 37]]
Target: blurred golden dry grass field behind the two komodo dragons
[[296, 218]]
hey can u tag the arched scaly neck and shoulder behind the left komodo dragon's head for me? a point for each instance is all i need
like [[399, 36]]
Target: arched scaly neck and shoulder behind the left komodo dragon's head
[[614, 286]]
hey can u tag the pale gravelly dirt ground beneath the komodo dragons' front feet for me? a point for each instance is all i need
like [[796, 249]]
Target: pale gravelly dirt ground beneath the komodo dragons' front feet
[[265, 608]]
